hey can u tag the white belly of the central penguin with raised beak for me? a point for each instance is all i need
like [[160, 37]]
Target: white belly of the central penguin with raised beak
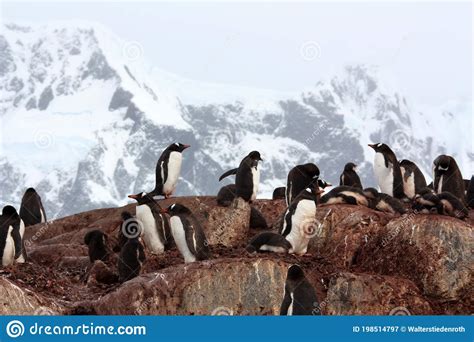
[[304, 215]]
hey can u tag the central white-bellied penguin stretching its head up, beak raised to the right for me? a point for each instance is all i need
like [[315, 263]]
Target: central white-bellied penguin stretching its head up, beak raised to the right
[[299, 220]]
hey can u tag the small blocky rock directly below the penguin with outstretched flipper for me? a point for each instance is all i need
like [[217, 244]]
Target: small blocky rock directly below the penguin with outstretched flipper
[[228, 226]]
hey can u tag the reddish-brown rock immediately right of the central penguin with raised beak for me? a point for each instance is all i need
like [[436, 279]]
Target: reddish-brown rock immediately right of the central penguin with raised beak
[[343, 230]]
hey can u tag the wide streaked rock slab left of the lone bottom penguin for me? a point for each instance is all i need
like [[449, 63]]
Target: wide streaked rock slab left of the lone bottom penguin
[[238, 287]]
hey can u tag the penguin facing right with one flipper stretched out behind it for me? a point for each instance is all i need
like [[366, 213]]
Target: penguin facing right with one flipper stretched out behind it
[[247, 177]]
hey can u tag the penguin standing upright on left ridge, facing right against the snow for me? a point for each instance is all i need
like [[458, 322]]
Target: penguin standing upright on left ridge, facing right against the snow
[[168, 169]]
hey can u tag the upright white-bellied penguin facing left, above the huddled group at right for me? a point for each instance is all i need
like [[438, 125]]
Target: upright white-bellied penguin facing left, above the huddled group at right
[[387, 171]]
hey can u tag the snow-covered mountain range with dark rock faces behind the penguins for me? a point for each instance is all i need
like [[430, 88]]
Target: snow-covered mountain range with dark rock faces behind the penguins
[[84, 121]]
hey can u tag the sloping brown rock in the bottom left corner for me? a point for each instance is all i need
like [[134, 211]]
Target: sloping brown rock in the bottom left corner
[[19, 301]]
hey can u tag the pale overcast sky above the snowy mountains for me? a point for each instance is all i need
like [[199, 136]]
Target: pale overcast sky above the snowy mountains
[[425, 47]]
